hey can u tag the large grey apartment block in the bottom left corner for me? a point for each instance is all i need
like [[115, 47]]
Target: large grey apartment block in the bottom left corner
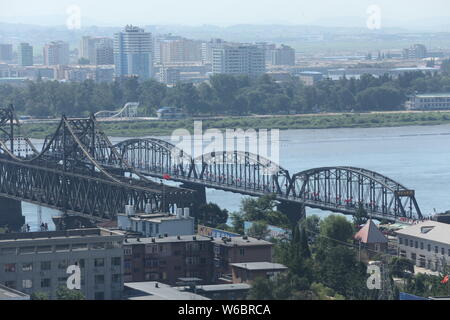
[[38, 262]]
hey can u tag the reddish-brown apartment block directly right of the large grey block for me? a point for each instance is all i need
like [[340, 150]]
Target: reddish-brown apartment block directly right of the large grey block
[[166, 259]]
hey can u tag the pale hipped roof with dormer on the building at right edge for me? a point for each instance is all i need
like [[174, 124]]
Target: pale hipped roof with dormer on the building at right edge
[[429, 230]]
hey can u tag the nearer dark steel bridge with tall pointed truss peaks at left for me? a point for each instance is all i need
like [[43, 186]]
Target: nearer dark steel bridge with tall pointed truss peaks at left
[[69, 175]]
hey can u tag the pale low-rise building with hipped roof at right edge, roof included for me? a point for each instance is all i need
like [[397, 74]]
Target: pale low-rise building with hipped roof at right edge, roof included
[[427, 244]]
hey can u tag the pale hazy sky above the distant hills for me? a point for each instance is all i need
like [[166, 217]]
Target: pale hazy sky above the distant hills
[[223, 12]]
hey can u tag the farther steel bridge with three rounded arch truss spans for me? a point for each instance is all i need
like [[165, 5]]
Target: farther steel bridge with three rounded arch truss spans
[[337, 189]]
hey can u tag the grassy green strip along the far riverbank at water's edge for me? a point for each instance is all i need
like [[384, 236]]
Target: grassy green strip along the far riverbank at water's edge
[[141, 128]]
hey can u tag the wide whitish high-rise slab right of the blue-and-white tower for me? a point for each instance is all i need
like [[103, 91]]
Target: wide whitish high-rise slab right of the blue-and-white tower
[[239, 60]]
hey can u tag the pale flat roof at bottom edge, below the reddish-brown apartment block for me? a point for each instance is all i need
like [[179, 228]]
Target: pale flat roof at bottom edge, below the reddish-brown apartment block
[[157, 291]]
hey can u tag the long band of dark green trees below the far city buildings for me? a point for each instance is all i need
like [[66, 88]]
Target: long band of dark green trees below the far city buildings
[[224, 95]]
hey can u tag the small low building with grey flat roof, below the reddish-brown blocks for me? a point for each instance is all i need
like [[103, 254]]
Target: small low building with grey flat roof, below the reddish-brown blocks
[[248, 272]]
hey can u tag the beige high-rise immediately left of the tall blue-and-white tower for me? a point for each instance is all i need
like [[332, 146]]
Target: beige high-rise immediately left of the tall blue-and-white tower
[[98, 50]]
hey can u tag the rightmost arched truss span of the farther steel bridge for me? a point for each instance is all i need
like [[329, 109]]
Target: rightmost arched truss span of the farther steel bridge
[[348, 189]]
